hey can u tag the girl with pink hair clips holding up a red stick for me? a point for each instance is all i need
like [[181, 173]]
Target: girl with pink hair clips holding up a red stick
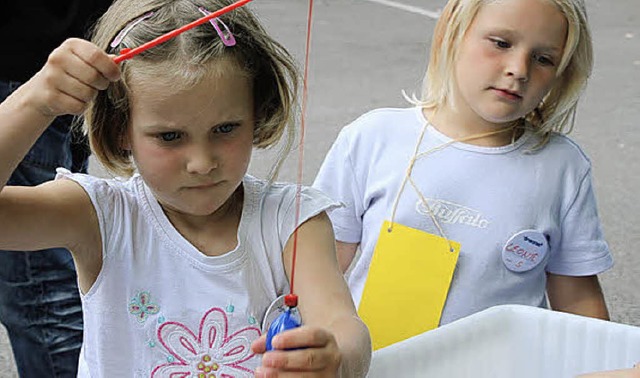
[[178, 263]]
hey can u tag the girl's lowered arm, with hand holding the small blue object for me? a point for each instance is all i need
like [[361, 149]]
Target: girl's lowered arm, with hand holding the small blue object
[[335, 341]]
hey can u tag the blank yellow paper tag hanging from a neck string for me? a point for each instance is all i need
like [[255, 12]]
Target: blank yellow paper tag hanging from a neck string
[[407, 284]]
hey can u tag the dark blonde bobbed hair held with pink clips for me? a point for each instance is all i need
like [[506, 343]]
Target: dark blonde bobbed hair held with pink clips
[[189, 58]]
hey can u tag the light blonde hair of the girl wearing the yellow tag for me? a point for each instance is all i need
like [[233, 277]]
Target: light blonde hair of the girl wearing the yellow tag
[[557, 111]]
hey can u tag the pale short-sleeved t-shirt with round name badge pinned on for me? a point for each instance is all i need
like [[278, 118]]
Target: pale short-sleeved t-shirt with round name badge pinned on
[[481, 196]]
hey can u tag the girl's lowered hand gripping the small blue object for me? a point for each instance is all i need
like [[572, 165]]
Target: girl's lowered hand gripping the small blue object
[[312, 351]]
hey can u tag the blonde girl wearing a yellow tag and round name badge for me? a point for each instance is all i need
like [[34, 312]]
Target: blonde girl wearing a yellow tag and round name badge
[[482, 160]]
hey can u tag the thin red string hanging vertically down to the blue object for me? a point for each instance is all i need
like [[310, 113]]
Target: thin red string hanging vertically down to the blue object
[[305, 88]]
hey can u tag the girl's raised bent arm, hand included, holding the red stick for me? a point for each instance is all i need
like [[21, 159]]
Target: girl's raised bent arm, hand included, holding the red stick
[[59, 213]]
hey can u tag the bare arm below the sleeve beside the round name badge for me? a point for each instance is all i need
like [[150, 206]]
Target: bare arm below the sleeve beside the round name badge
[[577, 295]]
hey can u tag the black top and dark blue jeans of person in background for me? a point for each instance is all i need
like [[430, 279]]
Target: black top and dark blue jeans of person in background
[[39, 299]]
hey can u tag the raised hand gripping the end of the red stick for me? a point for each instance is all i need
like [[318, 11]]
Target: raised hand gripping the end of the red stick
[[71, 78]]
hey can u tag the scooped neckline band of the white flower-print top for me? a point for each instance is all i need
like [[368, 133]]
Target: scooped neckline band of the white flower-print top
[[229, 260]]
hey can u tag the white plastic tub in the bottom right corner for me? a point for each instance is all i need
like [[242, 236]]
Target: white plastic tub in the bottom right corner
[[512, 341]]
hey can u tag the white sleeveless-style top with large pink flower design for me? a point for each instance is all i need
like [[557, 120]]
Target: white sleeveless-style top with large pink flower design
[[159, 306]]
